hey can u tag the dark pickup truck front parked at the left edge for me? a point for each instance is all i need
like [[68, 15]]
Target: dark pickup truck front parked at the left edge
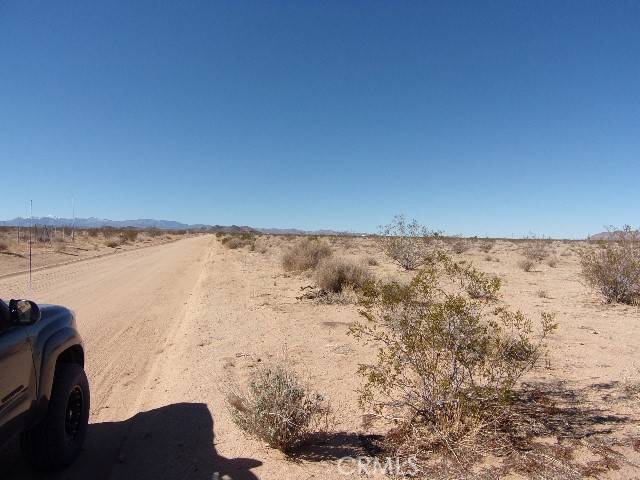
[[44, 392]]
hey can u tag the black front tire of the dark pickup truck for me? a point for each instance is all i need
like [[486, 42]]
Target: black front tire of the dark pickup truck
[[57, 440]]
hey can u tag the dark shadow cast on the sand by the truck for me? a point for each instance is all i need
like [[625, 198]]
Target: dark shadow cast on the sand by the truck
[[170, 442]]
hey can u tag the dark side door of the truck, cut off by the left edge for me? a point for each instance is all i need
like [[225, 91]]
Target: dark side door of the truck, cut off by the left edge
[[17, 379]]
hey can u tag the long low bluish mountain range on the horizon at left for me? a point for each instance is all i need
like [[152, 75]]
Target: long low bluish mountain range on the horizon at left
[[93, 222]]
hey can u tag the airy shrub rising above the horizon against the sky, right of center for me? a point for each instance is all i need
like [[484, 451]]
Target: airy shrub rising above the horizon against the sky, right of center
[[407, 243]]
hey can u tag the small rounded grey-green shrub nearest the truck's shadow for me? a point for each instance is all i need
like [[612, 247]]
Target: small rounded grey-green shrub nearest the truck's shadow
[[278, 408]]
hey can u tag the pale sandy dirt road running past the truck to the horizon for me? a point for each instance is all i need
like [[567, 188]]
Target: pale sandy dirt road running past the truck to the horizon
[[129, 307]]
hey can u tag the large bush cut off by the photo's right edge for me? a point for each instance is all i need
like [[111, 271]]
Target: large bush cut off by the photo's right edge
[[614, 269]]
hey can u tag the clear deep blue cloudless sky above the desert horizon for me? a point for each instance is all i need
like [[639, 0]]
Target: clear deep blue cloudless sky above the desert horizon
[[474, 117]]
